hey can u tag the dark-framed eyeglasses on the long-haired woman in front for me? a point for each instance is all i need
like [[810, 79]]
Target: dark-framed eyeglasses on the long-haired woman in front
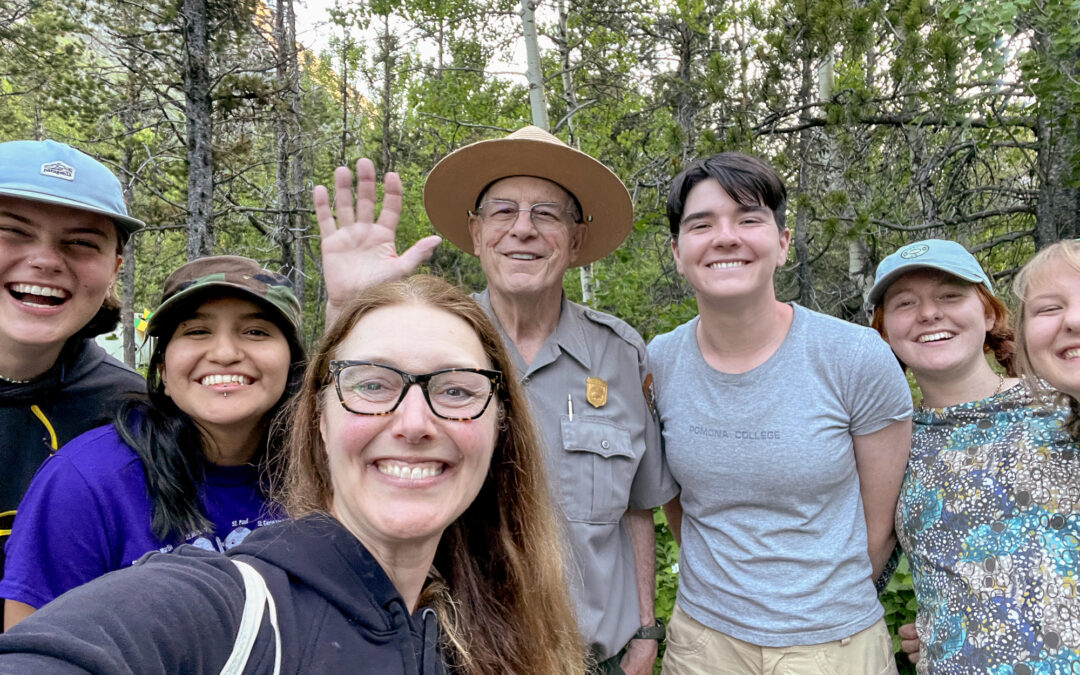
[[370, 388]]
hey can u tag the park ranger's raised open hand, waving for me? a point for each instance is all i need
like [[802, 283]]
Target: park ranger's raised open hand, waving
[[359, 251]]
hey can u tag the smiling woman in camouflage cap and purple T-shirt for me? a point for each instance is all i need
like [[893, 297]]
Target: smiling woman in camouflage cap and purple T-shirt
[[182, 466]]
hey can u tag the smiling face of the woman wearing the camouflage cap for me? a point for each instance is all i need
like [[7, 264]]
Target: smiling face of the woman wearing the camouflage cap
[[226, 366]]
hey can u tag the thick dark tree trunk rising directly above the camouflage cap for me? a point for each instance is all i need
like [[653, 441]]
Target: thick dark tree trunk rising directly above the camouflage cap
[[198, 110]]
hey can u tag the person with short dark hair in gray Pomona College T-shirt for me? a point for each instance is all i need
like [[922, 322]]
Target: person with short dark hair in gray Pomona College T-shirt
[[788, 433]]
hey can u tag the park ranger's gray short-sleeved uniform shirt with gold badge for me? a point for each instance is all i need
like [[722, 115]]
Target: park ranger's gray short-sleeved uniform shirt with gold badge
[[603, 463]]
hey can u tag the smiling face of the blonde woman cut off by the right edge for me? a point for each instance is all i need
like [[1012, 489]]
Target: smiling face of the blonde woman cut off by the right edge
[[1052, 326]]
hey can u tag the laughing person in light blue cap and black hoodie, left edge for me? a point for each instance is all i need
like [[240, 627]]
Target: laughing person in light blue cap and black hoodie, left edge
[[63, 227]]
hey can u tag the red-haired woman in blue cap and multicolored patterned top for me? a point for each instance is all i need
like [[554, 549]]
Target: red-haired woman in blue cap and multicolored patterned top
[[988, 510]]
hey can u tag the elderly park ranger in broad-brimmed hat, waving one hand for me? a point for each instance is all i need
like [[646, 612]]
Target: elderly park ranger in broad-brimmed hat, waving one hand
[[531, 208]]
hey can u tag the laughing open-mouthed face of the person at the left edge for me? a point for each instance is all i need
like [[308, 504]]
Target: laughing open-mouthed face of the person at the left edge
[[57, 266]]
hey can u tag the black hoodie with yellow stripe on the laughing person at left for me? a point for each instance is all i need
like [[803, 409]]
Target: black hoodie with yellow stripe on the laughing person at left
[[82, 391]]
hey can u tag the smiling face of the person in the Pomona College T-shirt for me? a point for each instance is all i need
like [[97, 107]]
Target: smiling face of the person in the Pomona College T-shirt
[[727, 251]]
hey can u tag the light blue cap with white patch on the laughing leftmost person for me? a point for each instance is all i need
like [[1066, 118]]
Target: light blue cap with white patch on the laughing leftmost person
[[50, 172]]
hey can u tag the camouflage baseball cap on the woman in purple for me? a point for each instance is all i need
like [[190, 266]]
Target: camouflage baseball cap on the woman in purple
[[219, 275]]
